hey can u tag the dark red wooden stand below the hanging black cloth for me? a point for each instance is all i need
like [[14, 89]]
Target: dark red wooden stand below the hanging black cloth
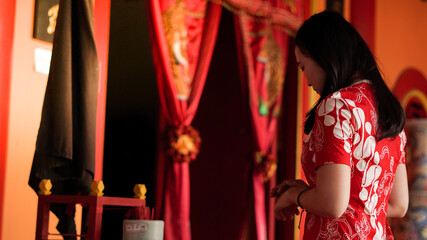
[[93, 207]]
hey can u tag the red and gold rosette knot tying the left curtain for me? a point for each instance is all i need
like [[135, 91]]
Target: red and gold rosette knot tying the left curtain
[[184, 143]]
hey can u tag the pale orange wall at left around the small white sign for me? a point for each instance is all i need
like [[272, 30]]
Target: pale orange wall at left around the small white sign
[[26, 98]]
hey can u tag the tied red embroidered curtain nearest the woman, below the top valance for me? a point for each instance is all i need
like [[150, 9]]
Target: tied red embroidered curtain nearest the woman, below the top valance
[[264, 61]]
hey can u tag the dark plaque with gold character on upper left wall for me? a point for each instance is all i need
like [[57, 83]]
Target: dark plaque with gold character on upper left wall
[[45, 13]]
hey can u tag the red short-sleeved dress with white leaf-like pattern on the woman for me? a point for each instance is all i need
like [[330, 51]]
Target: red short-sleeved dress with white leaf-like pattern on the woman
[[344, 133]]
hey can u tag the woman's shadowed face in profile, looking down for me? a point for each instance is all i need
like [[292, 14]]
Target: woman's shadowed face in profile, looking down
[[314, 74]]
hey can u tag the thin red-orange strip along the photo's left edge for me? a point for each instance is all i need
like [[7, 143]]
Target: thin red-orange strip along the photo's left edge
[[7, 20]]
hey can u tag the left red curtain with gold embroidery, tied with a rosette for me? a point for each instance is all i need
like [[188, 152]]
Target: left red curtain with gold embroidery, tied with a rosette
[[183, 34]]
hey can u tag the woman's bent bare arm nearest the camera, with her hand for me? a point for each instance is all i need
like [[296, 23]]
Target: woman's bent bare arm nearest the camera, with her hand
[[329, 198]]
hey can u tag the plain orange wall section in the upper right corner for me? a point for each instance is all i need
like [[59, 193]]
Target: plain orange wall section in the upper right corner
[[401, 37]]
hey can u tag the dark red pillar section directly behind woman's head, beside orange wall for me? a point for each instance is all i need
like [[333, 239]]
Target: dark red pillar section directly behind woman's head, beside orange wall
[[362, 16]]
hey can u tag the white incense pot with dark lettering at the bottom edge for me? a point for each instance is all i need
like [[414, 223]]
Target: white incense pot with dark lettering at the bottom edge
[[143, 229]]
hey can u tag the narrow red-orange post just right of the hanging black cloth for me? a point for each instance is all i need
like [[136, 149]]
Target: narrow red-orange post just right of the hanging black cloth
[[102, 33]]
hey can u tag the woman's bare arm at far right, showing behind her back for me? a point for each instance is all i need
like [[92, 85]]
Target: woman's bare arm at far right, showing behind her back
[[399, 196]]
